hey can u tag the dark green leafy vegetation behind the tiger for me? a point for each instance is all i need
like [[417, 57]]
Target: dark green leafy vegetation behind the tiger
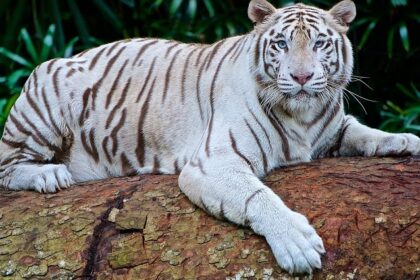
[[385, 37]]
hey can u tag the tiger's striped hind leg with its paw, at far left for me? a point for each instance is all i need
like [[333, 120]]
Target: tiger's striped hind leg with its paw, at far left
[[34, 145]]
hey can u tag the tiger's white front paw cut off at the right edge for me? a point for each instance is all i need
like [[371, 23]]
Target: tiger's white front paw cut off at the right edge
[[398, 144]]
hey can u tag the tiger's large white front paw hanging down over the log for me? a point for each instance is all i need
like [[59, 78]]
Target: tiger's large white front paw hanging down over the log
[[295, 244]]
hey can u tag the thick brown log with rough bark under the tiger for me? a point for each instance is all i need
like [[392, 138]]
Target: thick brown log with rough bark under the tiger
[[366, 211]]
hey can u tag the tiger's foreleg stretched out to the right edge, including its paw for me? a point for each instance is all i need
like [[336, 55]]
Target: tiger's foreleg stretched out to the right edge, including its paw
[[357, 139]]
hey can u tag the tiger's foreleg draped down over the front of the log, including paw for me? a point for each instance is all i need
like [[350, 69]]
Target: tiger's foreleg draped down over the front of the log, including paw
[[227, 188]]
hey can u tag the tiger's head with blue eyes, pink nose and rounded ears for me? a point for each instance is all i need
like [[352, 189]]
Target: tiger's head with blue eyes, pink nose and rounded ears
[[302, 54]]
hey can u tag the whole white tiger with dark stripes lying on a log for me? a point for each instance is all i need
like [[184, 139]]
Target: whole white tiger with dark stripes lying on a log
[[222, 115]]
